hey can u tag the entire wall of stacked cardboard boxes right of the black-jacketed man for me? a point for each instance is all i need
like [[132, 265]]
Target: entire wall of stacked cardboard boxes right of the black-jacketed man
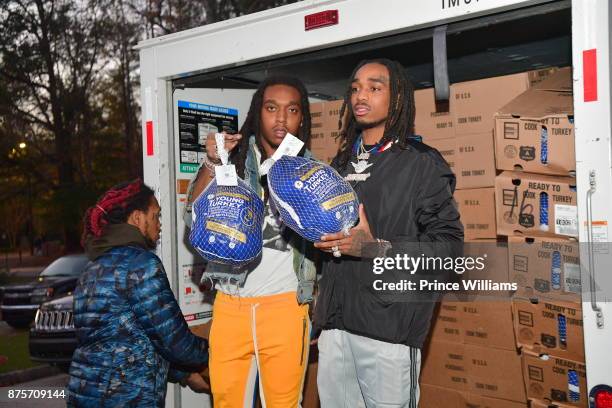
[[510, 143]]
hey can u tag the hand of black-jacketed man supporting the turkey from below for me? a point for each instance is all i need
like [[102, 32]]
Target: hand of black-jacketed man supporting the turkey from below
[[351, 244]]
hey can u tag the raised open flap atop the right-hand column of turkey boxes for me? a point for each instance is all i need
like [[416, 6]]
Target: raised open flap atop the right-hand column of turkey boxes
[[553, 96]]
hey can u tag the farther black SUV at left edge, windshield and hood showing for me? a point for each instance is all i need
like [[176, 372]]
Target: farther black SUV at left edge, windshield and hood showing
[[20, 302]]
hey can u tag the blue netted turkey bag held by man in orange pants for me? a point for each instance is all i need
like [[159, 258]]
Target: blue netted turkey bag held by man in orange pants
[[227, 224]]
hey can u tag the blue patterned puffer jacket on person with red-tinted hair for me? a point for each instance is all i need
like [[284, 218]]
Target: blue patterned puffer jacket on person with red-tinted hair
[[131, 333]]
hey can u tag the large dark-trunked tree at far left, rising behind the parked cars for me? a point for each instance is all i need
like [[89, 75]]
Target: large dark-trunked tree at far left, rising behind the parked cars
[[49, 61]]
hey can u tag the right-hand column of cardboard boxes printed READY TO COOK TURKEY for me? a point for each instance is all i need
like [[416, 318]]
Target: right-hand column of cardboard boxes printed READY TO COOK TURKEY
[[536, 210]]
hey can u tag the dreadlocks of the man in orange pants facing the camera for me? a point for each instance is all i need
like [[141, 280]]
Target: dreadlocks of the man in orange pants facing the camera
[[252, 124]]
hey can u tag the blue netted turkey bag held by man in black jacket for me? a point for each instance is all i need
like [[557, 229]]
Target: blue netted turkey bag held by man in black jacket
[[311, 197]]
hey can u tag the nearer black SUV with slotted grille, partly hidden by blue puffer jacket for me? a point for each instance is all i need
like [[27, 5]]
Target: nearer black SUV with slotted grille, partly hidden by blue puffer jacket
[[52, 336]]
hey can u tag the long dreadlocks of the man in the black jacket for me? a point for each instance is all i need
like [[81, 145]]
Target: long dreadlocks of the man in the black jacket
[[399, 125]]
